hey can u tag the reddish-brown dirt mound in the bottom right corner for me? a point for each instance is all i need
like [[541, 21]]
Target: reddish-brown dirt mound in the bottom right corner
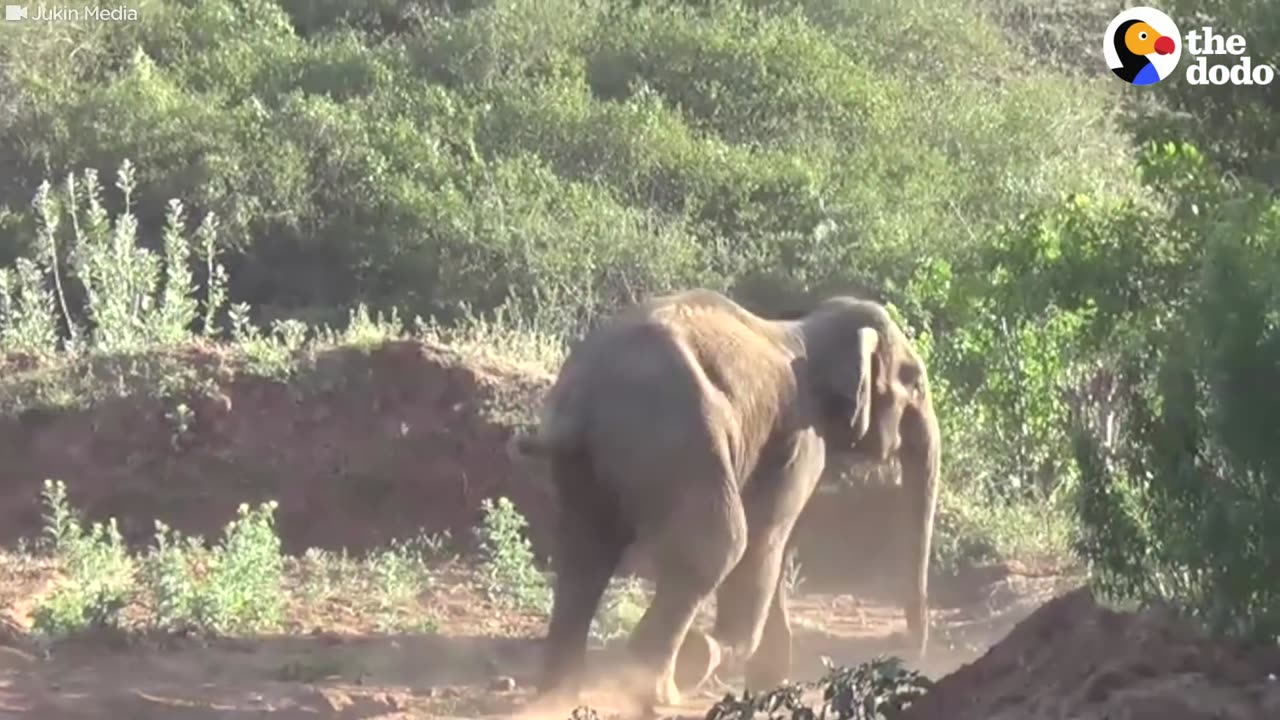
[[1073, 659]]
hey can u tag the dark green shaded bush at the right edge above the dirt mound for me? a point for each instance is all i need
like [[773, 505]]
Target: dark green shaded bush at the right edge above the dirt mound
[[1181, 507]]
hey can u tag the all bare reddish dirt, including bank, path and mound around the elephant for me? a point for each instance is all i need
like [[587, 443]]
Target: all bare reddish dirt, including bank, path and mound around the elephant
[[378, 445]]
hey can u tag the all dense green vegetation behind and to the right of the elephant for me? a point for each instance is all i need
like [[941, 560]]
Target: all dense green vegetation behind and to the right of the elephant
[[1091, 268]]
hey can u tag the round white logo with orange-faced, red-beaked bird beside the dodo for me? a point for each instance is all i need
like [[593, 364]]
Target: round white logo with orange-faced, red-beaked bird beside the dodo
[[1142, 47]]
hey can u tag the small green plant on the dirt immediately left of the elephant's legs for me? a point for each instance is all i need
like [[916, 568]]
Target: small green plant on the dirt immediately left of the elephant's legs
[[509, 563]]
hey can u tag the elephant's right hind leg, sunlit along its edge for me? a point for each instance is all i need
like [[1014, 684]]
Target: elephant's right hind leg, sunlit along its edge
[[703, 539]]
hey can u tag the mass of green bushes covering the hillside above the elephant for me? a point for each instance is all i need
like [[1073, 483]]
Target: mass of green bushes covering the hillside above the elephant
[[429, 156]]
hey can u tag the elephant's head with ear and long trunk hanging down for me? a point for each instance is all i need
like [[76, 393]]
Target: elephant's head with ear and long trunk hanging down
[[874, 403]]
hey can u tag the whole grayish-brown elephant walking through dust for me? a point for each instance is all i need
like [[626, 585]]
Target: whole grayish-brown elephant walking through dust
[[694, 427]]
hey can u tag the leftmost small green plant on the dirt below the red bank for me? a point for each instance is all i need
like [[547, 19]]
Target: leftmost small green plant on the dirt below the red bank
[[99, 575]]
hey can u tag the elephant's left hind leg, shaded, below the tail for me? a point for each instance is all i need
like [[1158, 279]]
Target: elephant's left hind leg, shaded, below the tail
[[589, 544]]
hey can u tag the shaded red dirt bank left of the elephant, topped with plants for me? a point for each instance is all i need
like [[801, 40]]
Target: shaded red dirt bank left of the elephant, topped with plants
[[364, 448]]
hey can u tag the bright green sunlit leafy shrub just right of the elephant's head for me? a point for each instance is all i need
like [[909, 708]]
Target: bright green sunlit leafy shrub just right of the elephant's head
[[1028, 335]]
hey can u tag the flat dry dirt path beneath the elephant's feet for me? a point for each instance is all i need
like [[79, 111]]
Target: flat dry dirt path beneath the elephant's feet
[[459, 673]]
